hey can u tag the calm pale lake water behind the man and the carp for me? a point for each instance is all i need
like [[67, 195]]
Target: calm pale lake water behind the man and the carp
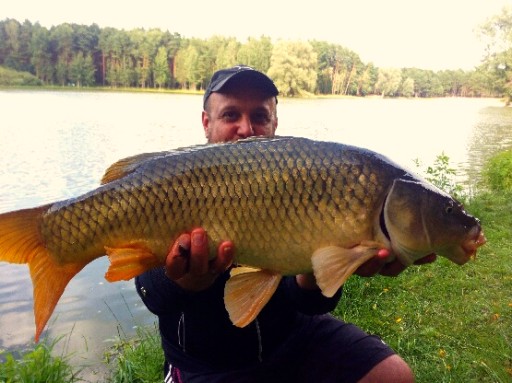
[[56, 145]]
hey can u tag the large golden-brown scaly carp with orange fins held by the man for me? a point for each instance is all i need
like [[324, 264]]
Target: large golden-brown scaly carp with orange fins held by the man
[[290, 205]]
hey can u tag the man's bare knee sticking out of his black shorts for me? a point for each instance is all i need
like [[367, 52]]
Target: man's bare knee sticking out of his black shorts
[[393, 369]]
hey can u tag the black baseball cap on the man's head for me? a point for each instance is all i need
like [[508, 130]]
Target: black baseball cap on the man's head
[[226, 78]]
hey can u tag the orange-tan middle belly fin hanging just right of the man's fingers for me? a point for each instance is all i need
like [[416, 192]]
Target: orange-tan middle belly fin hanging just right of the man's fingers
[[247, 292]]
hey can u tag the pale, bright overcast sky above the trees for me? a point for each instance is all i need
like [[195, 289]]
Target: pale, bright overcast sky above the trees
[[434, 34]]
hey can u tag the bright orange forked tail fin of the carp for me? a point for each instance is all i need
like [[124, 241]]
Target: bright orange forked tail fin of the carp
[[21, 242]]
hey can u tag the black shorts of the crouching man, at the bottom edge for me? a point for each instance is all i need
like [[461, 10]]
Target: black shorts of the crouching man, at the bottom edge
[[322, 350]]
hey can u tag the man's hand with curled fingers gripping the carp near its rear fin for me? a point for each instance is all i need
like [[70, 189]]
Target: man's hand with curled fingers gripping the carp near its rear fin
[[187, 263]]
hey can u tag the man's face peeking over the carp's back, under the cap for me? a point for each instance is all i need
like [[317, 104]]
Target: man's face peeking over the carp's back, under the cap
[[239, 114]]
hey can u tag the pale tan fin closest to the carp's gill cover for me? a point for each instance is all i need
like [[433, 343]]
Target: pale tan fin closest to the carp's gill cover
[[333, 265]]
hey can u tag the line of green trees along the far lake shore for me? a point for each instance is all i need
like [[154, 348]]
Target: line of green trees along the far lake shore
[[87, 55]]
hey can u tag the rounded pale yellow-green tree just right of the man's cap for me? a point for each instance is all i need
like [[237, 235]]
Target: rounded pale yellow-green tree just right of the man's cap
[[293, 67]]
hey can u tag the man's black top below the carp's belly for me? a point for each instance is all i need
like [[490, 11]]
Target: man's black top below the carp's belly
[[196, 330]]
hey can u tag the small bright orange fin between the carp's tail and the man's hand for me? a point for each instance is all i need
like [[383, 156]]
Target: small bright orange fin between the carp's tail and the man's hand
[[128, 261]]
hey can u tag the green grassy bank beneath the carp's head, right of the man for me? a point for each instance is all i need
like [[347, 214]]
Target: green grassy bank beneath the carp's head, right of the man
[[450, 323]]
